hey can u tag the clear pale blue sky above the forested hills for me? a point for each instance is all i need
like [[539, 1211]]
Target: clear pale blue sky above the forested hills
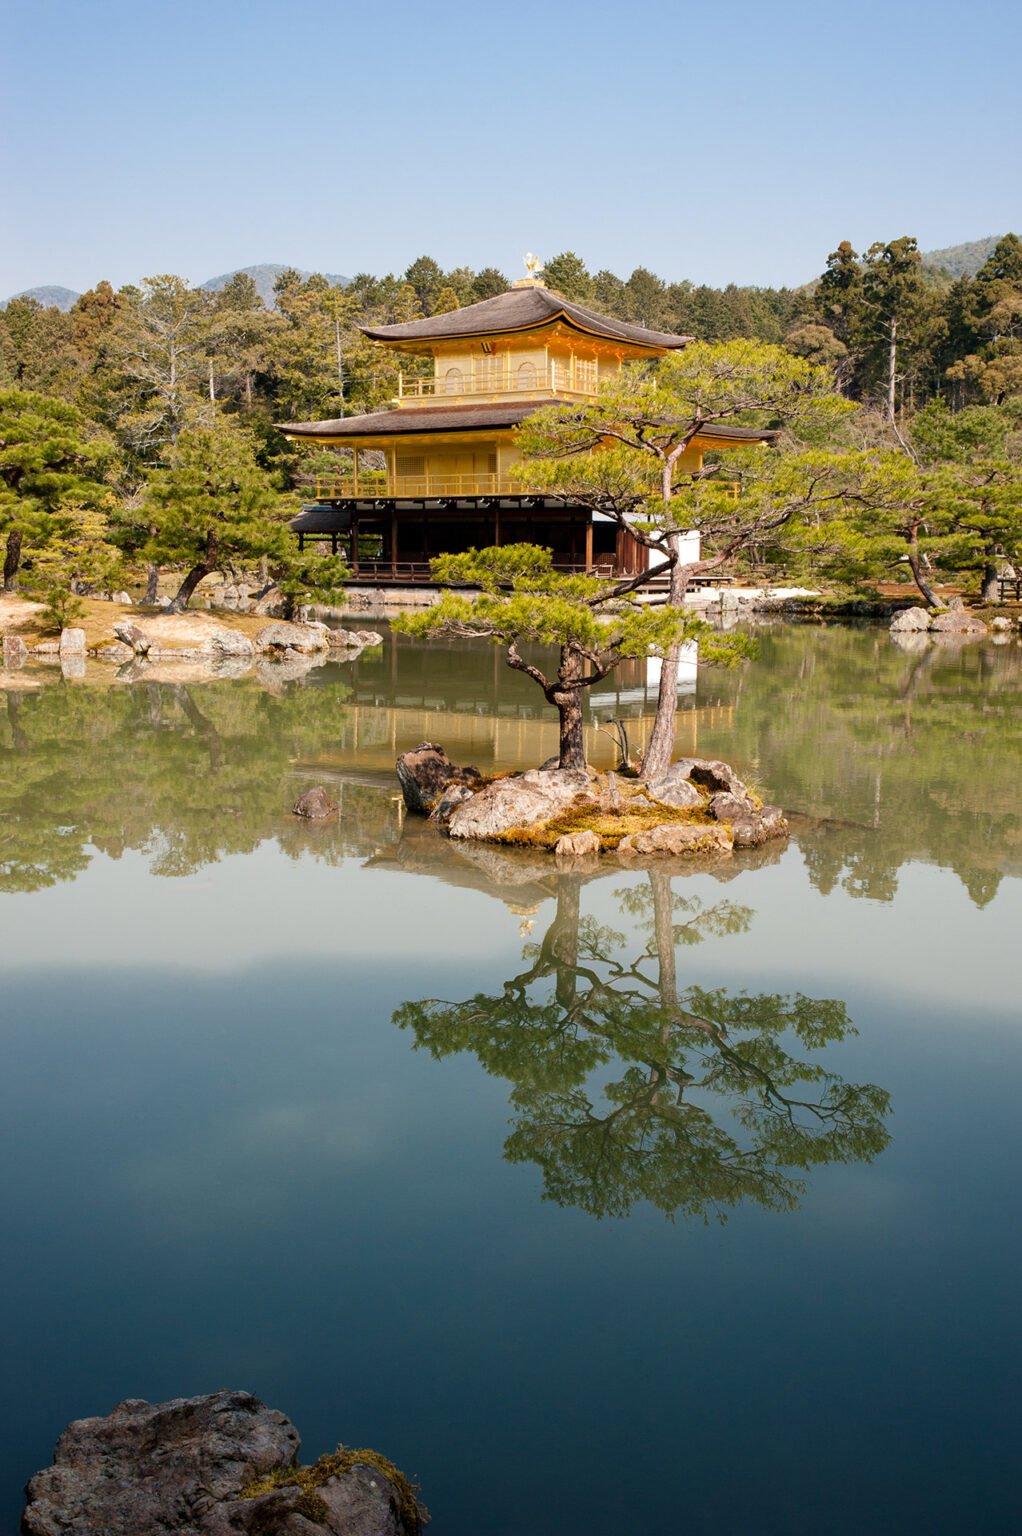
[[720, 144]]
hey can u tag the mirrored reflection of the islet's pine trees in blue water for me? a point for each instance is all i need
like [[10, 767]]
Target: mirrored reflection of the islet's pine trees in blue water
[[632, 1088]]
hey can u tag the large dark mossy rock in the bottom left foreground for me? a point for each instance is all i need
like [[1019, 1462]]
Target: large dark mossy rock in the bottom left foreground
[[216, 1466]]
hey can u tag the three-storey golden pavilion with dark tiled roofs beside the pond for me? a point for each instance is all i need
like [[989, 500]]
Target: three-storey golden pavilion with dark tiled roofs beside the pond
[[448, 446]]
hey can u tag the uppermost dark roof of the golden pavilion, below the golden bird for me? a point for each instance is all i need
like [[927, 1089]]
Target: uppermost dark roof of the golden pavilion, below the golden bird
[[523, 310]]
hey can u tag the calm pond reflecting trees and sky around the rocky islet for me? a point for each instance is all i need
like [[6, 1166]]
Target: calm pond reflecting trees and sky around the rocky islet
[[657, 1200]]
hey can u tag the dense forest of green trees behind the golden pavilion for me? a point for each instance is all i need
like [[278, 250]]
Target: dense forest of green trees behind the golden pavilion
[[111, 412]]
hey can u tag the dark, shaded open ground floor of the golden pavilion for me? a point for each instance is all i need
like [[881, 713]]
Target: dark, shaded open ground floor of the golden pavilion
[[391, 540]]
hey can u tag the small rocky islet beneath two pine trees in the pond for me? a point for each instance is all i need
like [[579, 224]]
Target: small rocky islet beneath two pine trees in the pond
[[698, 807]]
